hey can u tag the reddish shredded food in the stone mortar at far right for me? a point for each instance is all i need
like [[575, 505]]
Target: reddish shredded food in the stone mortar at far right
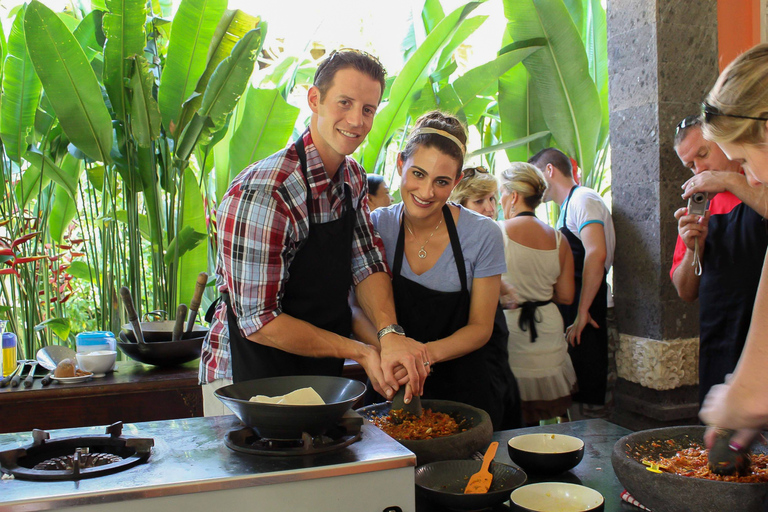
[[692, 462]]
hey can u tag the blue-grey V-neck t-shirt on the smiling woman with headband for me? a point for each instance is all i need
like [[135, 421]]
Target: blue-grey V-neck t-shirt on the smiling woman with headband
[[481, 242]]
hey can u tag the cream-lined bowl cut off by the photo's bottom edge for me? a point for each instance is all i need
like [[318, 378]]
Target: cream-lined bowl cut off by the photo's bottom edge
[[548, 496]]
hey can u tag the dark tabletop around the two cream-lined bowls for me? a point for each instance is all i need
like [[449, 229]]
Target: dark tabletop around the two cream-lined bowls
[[594, 471]]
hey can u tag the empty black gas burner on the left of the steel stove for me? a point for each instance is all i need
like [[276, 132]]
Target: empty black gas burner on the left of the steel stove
[[75, 458]]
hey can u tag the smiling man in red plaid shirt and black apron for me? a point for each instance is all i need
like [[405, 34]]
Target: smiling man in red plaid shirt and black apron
[[294, 236]]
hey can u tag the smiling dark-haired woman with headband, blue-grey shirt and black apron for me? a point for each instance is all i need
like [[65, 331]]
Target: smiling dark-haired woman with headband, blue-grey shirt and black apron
[[446, 264]]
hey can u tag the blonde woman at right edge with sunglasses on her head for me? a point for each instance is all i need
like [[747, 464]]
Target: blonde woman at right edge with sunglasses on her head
[[735, 116]]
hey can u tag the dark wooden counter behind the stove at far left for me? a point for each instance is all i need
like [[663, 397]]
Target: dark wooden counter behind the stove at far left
[[135, 392]]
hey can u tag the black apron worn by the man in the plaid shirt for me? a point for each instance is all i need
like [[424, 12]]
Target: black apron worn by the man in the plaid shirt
[[319, 280]]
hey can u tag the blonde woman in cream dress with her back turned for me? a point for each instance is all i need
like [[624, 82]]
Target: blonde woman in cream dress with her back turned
[[540, 267]]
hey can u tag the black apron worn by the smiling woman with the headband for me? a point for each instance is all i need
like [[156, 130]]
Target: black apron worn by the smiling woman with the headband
[[477, 378]]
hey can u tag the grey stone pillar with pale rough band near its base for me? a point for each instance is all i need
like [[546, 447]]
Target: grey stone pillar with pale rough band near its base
[[662, 59]]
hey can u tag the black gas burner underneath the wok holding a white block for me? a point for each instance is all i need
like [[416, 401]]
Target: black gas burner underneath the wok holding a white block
[[348, 431]]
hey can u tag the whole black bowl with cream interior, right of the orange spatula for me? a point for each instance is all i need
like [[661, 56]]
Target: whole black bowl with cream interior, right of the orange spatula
[[546, 454]]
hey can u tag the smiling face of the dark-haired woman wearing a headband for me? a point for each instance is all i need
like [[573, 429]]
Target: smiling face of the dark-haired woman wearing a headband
[[428, 177]]
